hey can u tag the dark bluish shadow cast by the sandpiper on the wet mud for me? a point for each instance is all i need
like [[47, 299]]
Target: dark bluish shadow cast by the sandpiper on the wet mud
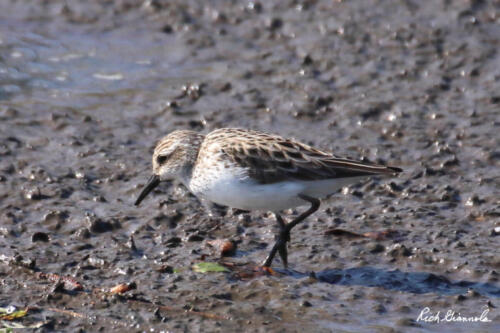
[[412, 282]]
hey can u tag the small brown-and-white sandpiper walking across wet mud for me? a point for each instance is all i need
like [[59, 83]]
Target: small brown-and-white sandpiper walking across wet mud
[[251, 170]]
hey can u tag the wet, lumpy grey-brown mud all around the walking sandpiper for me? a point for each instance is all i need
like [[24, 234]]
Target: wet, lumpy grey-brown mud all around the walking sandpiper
[[86, 88]]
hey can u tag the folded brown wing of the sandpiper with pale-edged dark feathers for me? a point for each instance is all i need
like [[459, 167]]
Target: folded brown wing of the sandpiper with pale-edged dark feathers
[[270, 159]]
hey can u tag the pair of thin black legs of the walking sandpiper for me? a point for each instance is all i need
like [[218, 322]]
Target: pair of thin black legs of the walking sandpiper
[[284, 233]]
